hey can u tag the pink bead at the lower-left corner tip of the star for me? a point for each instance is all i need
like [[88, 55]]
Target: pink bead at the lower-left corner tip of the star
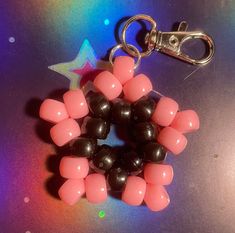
[[71, 191]]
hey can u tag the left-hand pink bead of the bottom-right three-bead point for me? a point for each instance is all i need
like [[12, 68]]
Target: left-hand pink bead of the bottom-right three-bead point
[[134, 191]]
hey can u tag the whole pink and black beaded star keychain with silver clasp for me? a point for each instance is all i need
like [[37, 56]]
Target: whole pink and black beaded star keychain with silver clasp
[[154, 127]]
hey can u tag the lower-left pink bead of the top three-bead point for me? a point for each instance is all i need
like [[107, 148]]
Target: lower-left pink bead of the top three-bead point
[[108, 84]]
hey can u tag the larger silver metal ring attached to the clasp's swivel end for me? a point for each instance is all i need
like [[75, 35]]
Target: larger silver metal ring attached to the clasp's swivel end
[[126, 26]]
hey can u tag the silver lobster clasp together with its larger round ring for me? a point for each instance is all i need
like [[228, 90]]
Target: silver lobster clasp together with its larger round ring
[[169, 43]]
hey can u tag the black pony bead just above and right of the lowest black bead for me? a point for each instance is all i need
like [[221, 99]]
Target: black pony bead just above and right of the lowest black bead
[[132, 162]]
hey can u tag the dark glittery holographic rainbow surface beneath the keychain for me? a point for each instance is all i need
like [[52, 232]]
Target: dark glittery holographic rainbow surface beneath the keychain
[[37, 34]]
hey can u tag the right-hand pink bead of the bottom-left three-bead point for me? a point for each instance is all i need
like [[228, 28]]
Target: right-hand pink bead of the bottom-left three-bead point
[[96, 189]]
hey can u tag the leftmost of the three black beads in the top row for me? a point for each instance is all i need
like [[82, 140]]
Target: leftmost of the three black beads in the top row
[[99, 106]]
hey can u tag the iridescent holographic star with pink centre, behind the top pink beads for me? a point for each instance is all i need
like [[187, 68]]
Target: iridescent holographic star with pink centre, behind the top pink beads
[[84, 65]]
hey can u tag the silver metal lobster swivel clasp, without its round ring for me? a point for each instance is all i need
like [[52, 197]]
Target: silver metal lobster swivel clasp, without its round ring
[[171, 43]]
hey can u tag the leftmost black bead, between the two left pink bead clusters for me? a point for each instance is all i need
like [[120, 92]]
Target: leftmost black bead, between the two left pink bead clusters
[[84, 147]]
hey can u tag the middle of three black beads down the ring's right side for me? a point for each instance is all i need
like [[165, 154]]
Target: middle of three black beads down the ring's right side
[[144, 131]]
